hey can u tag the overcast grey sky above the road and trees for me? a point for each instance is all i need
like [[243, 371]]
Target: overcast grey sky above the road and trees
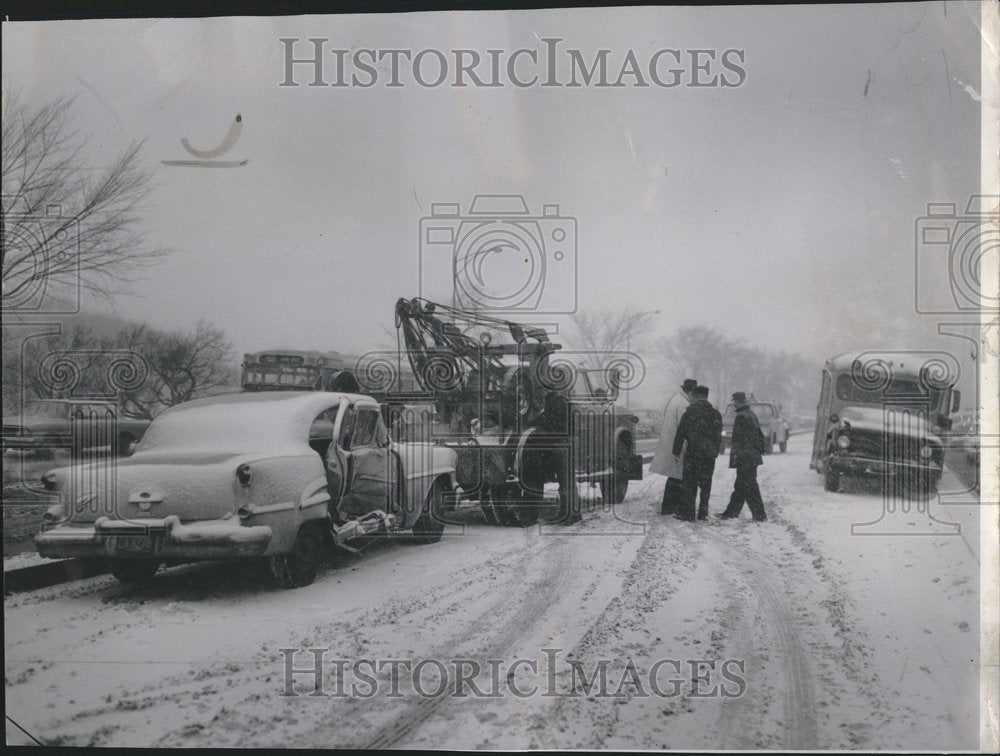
[[781, 211]]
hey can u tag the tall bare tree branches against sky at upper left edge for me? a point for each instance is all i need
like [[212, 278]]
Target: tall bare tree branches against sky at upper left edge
[[65, 224]]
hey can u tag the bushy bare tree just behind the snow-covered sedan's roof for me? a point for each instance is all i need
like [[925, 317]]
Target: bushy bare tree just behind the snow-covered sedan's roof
[[179, 366]]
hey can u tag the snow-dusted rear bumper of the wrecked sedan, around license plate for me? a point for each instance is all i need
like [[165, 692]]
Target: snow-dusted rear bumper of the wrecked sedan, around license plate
[[168, 539]]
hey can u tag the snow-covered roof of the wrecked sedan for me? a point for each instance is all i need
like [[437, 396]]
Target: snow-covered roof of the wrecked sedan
[[241, 422]]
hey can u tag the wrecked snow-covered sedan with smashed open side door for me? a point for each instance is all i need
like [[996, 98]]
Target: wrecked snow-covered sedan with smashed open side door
[[278, 475]]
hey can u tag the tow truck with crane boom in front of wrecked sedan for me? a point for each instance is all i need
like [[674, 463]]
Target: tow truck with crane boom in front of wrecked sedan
[[516, 413]]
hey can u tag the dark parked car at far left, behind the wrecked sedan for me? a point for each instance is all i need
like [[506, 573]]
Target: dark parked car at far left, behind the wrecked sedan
[[45, 425]]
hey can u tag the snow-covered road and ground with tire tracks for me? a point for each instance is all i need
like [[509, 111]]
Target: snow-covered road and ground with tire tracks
[[844, 641]]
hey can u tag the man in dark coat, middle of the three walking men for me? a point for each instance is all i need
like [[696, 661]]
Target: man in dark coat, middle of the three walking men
[[701, 430]]
